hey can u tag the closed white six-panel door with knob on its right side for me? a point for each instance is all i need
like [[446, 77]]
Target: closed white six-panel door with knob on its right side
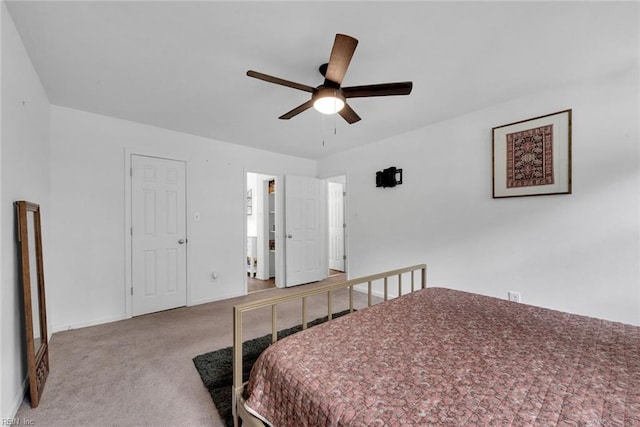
[[158, 234]]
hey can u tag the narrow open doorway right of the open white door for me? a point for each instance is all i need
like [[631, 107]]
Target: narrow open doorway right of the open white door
[[337, 225]]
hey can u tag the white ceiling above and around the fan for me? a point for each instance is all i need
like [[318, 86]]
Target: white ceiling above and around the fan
[[181, 65]]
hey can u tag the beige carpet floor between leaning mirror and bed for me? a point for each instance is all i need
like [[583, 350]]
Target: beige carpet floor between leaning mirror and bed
[[139, 372]]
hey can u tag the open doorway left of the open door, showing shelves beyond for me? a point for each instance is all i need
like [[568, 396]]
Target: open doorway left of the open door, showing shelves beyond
[[261, 232]]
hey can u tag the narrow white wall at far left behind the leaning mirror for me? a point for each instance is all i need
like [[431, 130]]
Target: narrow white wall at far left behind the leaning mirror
[[24, 175]]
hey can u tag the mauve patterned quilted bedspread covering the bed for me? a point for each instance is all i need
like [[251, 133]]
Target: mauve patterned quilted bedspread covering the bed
[[445, 357]]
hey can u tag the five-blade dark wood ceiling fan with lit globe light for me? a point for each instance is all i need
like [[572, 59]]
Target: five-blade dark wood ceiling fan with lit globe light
[[330, 97]]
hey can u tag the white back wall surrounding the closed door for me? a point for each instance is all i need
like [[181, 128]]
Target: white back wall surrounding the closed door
[[87, 269]]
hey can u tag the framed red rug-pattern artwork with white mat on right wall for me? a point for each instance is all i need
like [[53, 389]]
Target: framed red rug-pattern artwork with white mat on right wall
[[533, 157]]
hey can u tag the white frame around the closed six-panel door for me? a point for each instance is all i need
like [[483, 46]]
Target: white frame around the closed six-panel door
[[128, 255]]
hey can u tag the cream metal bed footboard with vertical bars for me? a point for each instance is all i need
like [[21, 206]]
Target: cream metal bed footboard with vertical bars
[[239, 411]]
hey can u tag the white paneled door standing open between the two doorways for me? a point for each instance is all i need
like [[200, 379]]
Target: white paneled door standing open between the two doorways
[[303, 231]]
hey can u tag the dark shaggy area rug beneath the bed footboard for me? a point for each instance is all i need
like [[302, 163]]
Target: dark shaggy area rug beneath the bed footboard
[[216, 368]]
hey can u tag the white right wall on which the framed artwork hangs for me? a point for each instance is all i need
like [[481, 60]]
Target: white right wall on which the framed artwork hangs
[[578, 253]]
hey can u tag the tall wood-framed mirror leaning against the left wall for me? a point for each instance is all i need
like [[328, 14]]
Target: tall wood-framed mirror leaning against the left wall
[[29, 232]]
